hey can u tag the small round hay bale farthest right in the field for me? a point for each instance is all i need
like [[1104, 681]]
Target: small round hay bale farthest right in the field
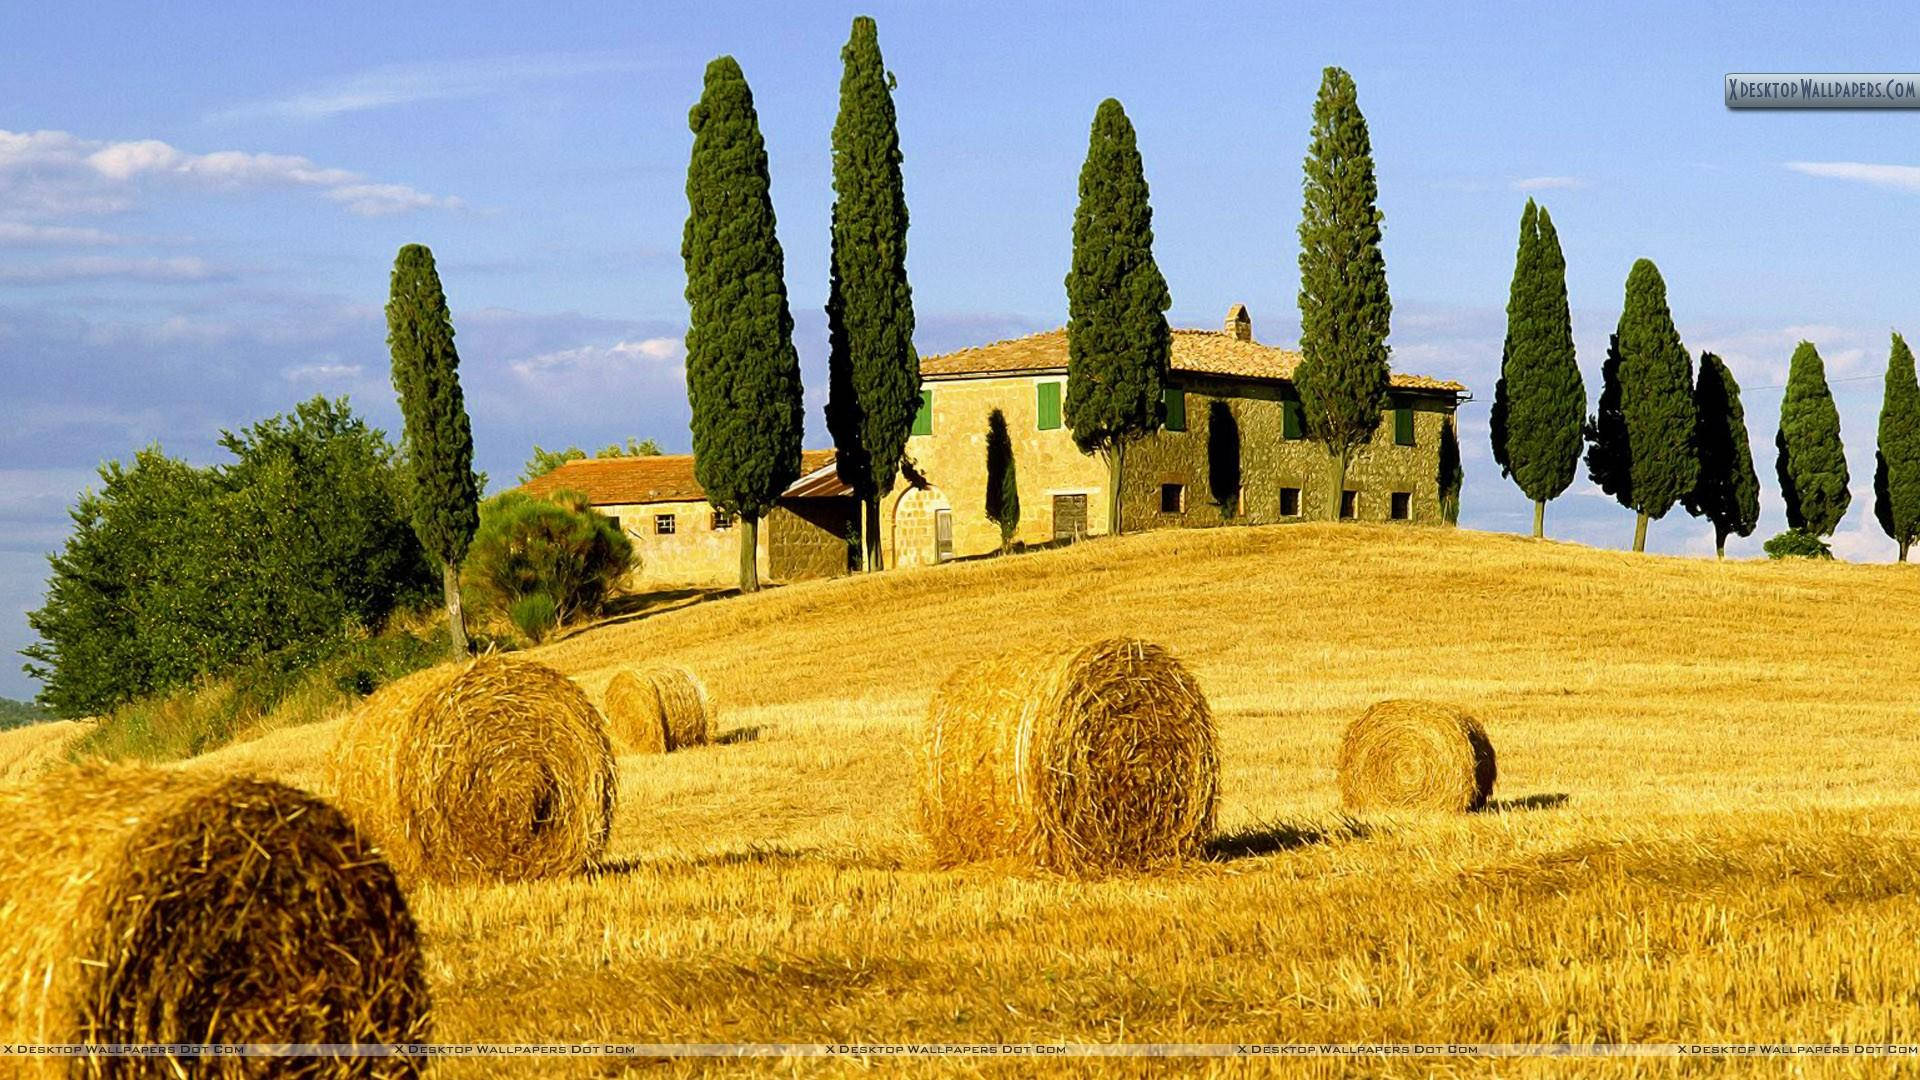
[[1416, 756]]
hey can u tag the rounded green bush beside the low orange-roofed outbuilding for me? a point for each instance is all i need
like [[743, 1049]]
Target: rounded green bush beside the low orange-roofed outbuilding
[[546, 562]]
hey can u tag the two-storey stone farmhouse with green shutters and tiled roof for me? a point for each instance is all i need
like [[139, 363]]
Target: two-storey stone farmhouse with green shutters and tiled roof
[[1234, 449]]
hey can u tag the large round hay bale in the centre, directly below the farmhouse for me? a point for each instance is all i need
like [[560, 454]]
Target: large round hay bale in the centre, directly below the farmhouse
[[1078, 760]]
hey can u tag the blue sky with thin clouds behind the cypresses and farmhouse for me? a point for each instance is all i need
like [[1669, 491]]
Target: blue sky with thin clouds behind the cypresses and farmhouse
[[201, 205]]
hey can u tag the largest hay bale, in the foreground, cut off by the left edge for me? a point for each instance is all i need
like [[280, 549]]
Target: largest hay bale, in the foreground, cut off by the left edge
[[164, 908]]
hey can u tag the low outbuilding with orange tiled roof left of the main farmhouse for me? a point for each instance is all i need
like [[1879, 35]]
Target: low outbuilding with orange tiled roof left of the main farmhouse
[[681, 539]]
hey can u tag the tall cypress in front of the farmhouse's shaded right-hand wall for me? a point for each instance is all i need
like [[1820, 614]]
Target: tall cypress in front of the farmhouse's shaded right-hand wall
[[1345, 310]]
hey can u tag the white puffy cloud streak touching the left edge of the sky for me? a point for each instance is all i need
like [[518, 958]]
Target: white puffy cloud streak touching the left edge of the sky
[[49, 174]]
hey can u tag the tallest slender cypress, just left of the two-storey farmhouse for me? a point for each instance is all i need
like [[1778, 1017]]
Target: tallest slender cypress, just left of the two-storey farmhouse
[[873, 368]]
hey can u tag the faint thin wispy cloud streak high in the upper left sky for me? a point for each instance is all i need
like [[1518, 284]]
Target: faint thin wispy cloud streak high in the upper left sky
[[408, 84]]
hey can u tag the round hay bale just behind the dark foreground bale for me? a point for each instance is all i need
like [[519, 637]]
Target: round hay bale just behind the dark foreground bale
[[498, 770]]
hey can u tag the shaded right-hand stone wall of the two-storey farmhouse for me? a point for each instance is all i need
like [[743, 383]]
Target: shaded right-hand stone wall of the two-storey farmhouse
[[1270, 462]]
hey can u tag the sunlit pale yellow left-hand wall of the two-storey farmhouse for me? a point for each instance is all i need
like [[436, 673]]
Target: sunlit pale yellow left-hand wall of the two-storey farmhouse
[[953, 462]]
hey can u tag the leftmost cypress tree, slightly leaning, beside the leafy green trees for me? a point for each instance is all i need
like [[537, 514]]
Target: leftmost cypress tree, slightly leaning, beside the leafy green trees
[[441, 445]]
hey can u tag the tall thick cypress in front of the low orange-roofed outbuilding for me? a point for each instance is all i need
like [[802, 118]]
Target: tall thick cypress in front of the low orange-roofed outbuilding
[[744, 376]]
